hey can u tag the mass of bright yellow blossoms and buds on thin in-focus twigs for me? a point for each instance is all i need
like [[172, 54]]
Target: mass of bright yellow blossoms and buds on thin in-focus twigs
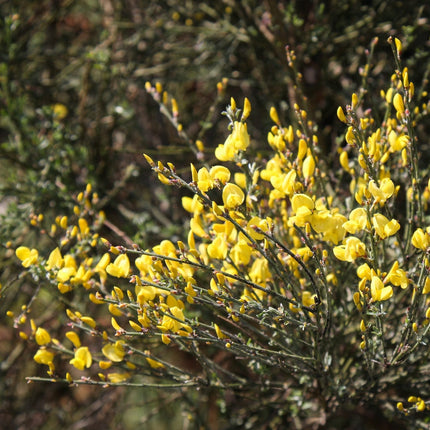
[[280, 258]]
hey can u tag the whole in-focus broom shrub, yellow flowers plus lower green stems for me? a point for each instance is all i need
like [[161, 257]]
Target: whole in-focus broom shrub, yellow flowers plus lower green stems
[[297, 296]]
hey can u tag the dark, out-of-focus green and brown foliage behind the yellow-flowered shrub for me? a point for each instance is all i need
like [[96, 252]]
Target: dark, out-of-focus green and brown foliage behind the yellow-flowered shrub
[[73, 110]]
